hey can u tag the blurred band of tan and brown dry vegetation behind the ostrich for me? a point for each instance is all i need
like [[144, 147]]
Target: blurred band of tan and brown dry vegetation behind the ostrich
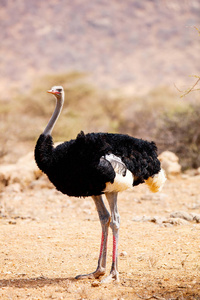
[[159, 115]]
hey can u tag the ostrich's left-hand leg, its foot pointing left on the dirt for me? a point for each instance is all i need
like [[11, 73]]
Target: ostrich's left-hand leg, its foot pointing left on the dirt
[[104, 217]]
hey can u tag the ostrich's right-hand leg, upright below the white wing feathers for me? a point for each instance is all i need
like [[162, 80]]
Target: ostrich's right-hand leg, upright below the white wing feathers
[[114, 224]]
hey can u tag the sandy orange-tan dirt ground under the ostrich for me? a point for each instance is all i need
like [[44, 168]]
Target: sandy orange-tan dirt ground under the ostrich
[[46, 239]]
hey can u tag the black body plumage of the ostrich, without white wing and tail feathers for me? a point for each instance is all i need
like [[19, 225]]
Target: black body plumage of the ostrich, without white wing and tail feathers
[[76, 167]]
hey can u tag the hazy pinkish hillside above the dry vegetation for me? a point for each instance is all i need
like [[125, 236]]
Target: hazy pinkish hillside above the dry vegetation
[[133, 45]]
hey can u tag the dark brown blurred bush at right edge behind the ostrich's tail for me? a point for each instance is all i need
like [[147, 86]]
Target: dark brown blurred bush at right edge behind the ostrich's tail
[[180, 133]]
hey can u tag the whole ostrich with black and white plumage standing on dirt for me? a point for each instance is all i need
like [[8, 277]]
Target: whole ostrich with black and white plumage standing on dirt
[[94, 164]]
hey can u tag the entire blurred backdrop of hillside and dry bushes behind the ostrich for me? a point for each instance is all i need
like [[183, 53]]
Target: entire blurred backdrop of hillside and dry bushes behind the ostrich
[[124, 66]]
